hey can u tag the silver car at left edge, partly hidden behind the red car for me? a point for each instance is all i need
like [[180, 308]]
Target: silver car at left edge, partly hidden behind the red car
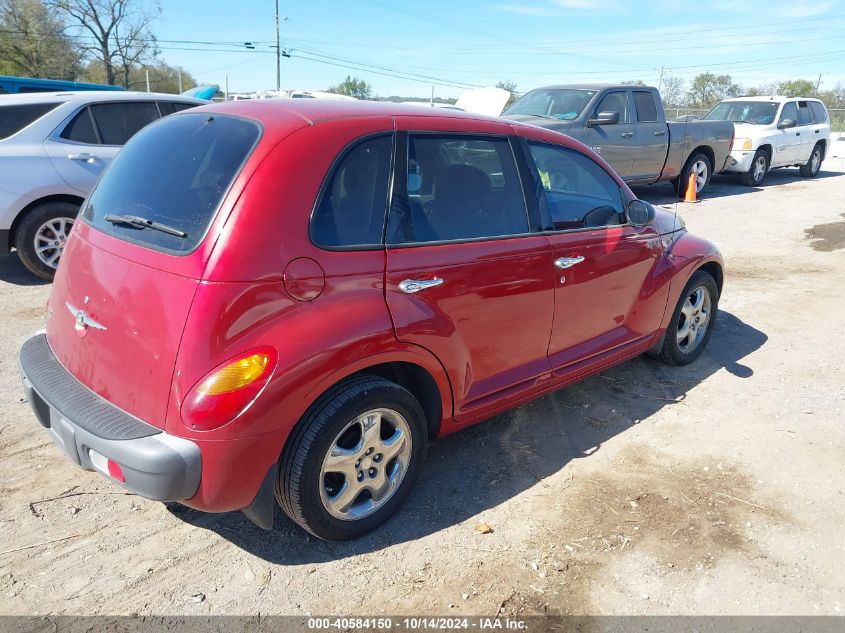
[[53, 148]]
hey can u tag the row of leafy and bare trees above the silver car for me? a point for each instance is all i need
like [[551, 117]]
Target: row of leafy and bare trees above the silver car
[[99, 41]]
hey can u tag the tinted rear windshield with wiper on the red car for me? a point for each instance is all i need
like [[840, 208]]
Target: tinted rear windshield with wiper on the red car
[[173, 173]]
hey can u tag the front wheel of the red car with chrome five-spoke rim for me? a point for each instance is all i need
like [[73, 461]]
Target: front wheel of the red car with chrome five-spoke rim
[[692, 322]]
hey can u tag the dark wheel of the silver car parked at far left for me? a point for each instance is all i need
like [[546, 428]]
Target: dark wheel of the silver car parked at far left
[[41, 235]]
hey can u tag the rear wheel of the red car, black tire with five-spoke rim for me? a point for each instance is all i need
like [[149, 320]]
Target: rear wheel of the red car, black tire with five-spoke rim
[[353, 458]]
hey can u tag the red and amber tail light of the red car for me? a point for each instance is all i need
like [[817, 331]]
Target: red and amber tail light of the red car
[[228, 391]]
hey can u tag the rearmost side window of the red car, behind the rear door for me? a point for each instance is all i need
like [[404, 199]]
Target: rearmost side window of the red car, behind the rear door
[[354, 198]]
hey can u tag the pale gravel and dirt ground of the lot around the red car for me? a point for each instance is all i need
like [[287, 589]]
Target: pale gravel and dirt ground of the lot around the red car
[[710, 489]]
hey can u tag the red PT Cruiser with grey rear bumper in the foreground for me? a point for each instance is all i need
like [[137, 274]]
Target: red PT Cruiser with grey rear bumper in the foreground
[[289, 299]]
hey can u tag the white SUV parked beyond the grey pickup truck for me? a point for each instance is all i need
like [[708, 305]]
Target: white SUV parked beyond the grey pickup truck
[[773, 132]]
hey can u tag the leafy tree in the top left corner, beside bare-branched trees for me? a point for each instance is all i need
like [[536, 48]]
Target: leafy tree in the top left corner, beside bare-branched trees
[[33, 43]]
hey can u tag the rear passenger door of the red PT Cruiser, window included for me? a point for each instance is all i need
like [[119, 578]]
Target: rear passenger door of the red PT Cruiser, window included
[[466, 278]]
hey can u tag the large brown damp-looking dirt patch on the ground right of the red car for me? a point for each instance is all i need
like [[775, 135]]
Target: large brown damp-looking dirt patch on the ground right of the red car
[[681, 518]]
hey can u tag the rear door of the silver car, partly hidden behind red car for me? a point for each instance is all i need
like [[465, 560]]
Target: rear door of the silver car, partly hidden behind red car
[[83, 147]]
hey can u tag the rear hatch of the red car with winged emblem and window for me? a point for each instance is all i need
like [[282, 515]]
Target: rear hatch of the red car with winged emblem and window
[[124, 288]]
